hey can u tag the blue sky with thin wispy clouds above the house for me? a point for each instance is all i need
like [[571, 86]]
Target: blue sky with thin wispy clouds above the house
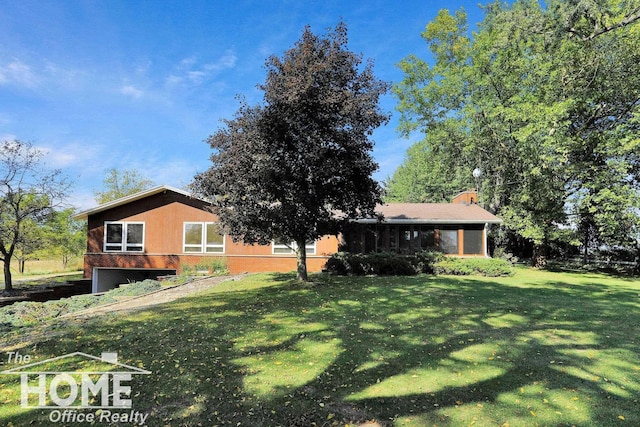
[[131, 84]]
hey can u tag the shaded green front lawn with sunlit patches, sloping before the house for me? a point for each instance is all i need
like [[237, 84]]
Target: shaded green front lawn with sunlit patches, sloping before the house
[[537, 348]]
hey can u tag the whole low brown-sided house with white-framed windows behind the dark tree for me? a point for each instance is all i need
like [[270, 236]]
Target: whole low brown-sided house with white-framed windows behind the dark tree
[[165, 230]]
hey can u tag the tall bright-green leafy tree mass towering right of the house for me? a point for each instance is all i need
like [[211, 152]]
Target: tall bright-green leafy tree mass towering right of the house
[[545, 99]]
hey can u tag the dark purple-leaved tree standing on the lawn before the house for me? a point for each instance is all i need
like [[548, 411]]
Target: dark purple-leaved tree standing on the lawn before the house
[[283, 169]]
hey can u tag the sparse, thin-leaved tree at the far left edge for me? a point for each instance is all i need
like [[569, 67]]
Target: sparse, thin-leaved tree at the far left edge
[[29, 192]]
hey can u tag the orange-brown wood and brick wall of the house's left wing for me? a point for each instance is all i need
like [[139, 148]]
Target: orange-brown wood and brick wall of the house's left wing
[[164, 215]]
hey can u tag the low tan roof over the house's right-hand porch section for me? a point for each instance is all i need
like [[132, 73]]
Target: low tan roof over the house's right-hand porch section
[[433, 213]]
